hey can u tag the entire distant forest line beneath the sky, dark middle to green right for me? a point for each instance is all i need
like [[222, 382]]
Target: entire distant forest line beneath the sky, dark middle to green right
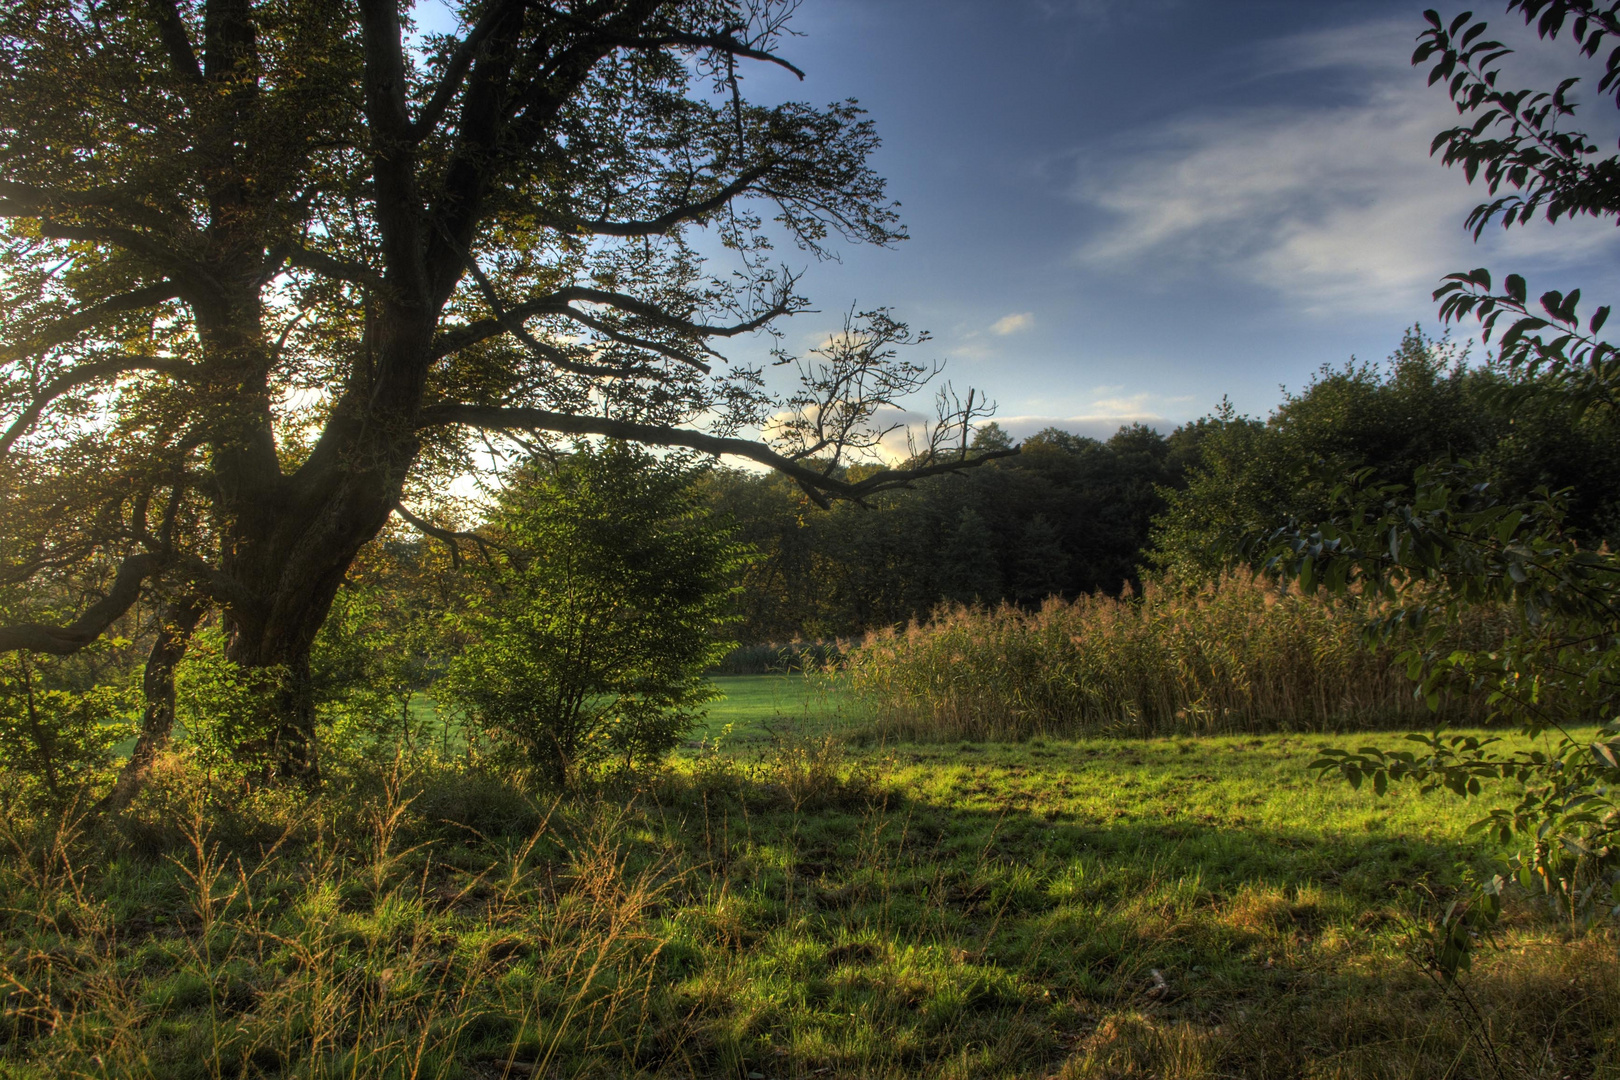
[[1073, 516]]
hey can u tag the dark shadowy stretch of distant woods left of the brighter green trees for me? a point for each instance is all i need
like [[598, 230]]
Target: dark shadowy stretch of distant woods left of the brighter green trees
[[1067, 517]]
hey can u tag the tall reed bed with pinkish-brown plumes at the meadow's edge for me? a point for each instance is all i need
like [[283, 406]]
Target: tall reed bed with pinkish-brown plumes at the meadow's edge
[[1235, 657]]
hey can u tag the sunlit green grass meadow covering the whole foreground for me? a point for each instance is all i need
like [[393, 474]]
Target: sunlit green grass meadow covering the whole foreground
[[796, 908]]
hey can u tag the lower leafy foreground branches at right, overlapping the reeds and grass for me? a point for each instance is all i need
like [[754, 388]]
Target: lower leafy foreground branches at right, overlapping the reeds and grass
[[1428, 553]]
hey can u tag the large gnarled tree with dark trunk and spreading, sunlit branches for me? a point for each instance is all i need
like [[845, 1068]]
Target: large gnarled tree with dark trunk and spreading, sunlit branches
[[273, 266]]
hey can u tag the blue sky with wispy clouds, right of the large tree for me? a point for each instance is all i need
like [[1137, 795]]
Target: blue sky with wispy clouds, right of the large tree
[[1127, 210]]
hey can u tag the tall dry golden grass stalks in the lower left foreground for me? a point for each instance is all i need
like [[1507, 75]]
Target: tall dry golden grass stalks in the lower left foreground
[[336, 938]]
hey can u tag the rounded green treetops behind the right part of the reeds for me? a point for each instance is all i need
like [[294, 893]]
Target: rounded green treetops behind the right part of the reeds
[[1383, 425]]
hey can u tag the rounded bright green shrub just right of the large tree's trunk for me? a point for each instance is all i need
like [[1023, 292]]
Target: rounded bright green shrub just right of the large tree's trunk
[[599, 614]]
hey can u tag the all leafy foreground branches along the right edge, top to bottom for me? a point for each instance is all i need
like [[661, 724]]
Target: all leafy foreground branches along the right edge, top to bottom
[[1449, 542]]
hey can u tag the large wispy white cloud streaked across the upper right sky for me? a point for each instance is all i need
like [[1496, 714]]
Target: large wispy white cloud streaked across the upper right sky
[[1337, 208]]
